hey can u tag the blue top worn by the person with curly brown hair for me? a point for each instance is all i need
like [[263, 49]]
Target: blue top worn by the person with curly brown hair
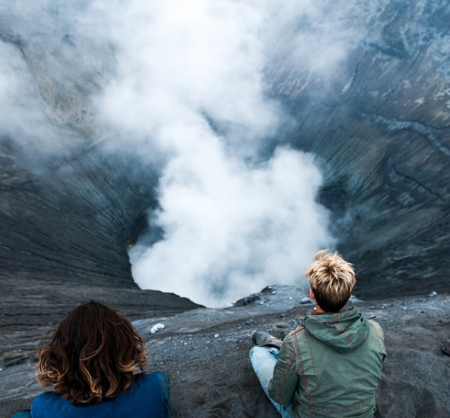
[[146, 398]]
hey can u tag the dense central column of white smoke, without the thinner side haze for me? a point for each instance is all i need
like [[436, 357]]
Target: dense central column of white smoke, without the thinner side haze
[[190, 85]]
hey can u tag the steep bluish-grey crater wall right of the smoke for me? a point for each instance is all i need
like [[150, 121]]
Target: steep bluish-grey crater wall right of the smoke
[[381, 132]]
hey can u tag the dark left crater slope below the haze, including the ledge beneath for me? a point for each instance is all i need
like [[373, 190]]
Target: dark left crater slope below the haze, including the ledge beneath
[[63, 240]]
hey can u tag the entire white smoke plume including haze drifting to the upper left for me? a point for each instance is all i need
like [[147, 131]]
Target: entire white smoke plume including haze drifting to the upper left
[[185, 89]]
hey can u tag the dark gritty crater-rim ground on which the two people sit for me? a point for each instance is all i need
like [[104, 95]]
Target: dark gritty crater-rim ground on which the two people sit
[[205, 352]]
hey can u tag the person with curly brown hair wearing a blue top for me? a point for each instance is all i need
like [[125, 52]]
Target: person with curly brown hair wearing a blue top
[[96, 362]]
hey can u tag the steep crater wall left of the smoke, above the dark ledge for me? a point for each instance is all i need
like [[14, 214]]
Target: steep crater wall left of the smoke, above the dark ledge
[[68, 209]]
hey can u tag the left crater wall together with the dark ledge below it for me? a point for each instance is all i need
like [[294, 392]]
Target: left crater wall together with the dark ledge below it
[[69, 209]]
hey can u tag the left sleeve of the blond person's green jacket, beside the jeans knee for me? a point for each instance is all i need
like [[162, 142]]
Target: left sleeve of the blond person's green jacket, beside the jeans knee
[[285, 378]]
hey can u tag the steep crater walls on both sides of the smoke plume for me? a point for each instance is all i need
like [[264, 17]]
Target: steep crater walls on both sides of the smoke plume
[[379, 128]]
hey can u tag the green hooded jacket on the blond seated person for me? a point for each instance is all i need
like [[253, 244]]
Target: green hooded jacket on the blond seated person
[[330, 367]]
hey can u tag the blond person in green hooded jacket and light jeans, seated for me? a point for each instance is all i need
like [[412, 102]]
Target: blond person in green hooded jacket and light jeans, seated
[[331, 365]]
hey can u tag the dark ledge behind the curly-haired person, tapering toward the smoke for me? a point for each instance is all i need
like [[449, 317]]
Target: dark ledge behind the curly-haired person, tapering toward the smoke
[[28, 313]]
